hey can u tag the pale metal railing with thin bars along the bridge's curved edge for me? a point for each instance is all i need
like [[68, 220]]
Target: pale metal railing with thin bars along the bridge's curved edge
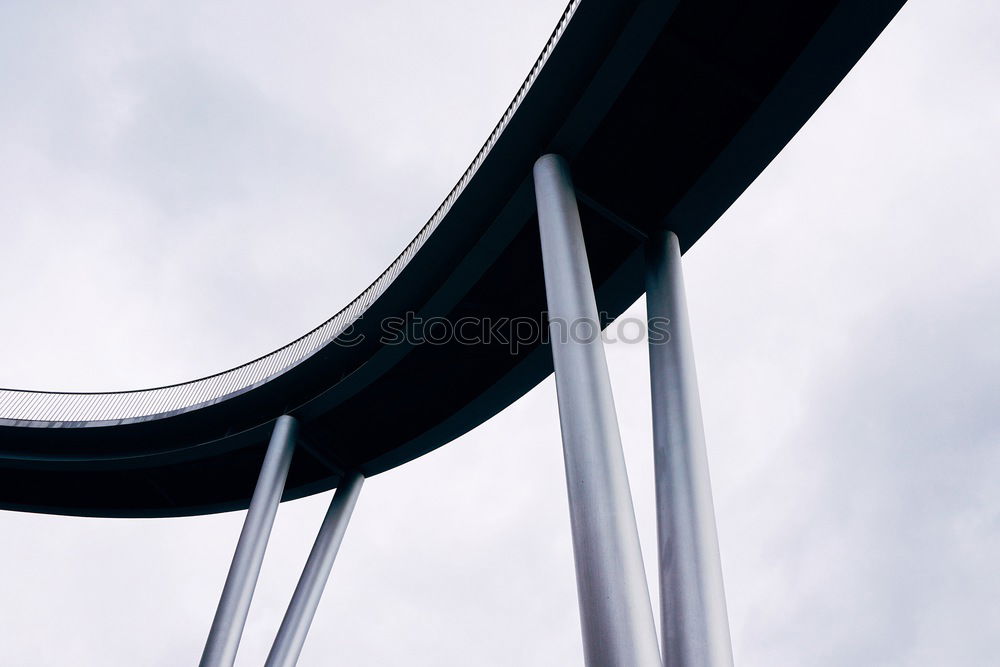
[[81, 408]]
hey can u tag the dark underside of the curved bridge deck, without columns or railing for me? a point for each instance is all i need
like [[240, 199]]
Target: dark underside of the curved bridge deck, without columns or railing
[[666, 111]]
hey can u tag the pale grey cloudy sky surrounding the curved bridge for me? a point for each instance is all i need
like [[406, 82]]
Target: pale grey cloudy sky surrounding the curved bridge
[[187, 185]]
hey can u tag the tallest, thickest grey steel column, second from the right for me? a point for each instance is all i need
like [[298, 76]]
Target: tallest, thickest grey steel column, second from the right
[[615, 610]]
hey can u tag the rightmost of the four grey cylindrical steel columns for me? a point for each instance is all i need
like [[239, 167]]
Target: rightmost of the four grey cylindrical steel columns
[[695, 627]]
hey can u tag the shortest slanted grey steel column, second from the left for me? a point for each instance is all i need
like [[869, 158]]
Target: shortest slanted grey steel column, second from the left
[[294, 627]]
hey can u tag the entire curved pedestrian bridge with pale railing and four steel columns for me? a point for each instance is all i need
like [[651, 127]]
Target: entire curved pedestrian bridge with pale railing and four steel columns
[[638, 126]]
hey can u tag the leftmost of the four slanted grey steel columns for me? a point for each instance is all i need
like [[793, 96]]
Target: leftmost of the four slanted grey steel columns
[[231, 616]]
